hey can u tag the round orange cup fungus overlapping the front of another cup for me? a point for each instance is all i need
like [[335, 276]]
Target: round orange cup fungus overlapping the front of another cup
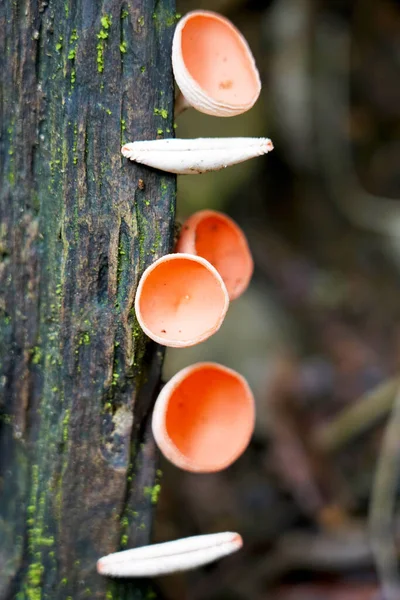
[[181, 300]]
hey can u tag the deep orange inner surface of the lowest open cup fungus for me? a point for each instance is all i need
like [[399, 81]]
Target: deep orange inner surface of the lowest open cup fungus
[[210, 418]]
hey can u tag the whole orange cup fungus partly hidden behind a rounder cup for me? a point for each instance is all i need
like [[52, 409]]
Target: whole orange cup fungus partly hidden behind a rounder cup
[[218, 239]]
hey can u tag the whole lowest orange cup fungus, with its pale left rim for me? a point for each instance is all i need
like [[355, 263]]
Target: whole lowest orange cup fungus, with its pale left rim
[[204, 417]]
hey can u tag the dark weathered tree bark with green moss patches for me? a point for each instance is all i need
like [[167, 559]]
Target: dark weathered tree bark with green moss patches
[[78, 225]]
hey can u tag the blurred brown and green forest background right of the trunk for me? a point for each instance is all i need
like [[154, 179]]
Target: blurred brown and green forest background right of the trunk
[[318, 332]]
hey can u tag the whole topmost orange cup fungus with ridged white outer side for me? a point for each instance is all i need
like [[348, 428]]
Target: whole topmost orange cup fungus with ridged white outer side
[[213, 65]]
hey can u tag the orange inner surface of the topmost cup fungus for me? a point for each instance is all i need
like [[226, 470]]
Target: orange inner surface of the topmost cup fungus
[[217, 60]]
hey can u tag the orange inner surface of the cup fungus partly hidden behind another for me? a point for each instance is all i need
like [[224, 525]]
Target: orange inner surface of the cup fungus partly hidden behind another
[[219, 243]]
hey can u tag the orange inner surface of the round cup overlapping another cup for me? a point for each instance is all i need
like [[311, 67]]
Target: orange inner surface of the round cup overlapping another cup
[[181, 300]]
